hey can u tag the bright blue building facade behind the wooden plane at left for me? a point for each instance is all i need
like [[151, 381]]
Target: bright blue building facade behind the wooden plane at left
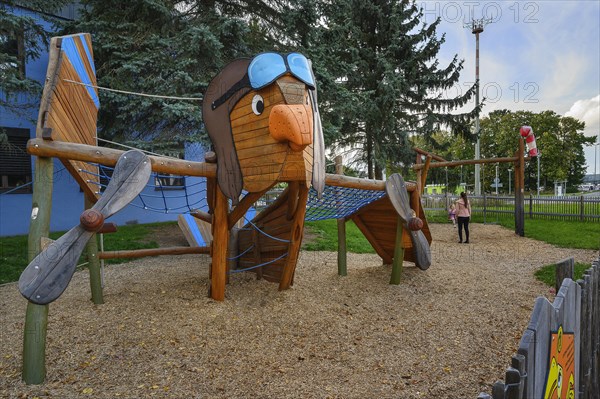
[[162, 200]]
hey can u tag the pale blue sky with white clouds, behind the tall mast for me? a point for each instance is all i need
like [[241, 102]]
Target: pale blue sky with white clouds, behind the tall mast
[[534, 55]]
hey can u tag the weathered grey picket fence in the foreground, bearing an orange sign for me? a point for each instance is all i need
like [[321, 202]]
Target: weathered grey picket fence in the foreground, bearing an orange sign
[[559, 352]]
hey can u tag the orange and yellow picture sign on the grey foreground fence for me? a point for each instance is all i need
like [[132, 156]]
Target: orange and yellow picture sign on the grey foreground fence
[[560, 381]]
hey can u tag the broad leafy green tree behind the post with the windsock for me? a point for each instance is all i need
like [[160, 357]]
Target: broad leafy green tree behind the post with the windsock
[[560, 141]]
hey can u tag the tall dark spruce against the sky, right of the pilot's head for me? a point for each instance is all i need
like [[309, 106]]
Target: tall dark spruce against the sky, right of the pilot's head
[[389, 84]]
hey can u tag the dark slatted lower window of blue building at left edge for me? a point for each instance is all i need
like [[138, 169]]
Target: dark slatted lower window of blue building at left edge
[[15, 162]]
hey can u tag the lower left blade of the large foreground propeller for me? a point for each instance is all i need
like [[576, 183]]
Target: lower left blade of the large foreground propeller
[[49, 273]]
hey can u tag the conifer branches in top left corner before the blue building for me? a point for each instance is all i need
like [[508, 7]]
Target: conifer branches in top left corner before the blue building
[[22, 39]]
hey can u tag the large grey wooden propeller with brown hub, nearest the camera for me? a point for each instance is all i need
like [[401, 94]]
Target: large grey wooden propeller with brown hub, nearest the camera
[[49, 274]]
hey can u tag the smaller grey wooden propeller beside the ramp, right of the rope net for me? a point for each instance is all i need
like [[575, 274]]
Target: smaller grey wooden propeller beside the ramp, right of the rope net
[[396, 190]]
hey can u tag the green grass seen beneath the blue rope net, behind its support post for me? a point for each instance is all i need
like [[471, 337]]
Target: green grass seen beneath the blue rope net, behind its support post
[[326, 237]]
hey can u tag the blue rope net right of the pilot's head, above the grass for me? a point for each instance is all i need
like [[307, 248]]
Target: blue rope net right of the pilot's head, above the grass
[[338, 202]]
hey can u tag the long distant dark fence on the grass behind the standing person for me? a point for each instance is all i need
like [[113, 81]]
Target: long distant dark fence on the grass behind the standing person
[[579, 208]]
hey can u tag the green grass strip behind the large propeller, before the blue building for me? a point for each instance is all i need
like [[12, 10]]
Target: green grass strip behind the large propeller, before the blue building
[[13, 250]]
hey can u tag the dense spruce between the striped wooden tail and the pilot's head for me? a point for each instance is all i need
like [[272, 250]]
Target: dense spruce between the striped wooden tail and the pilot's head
[[170, 48]]
